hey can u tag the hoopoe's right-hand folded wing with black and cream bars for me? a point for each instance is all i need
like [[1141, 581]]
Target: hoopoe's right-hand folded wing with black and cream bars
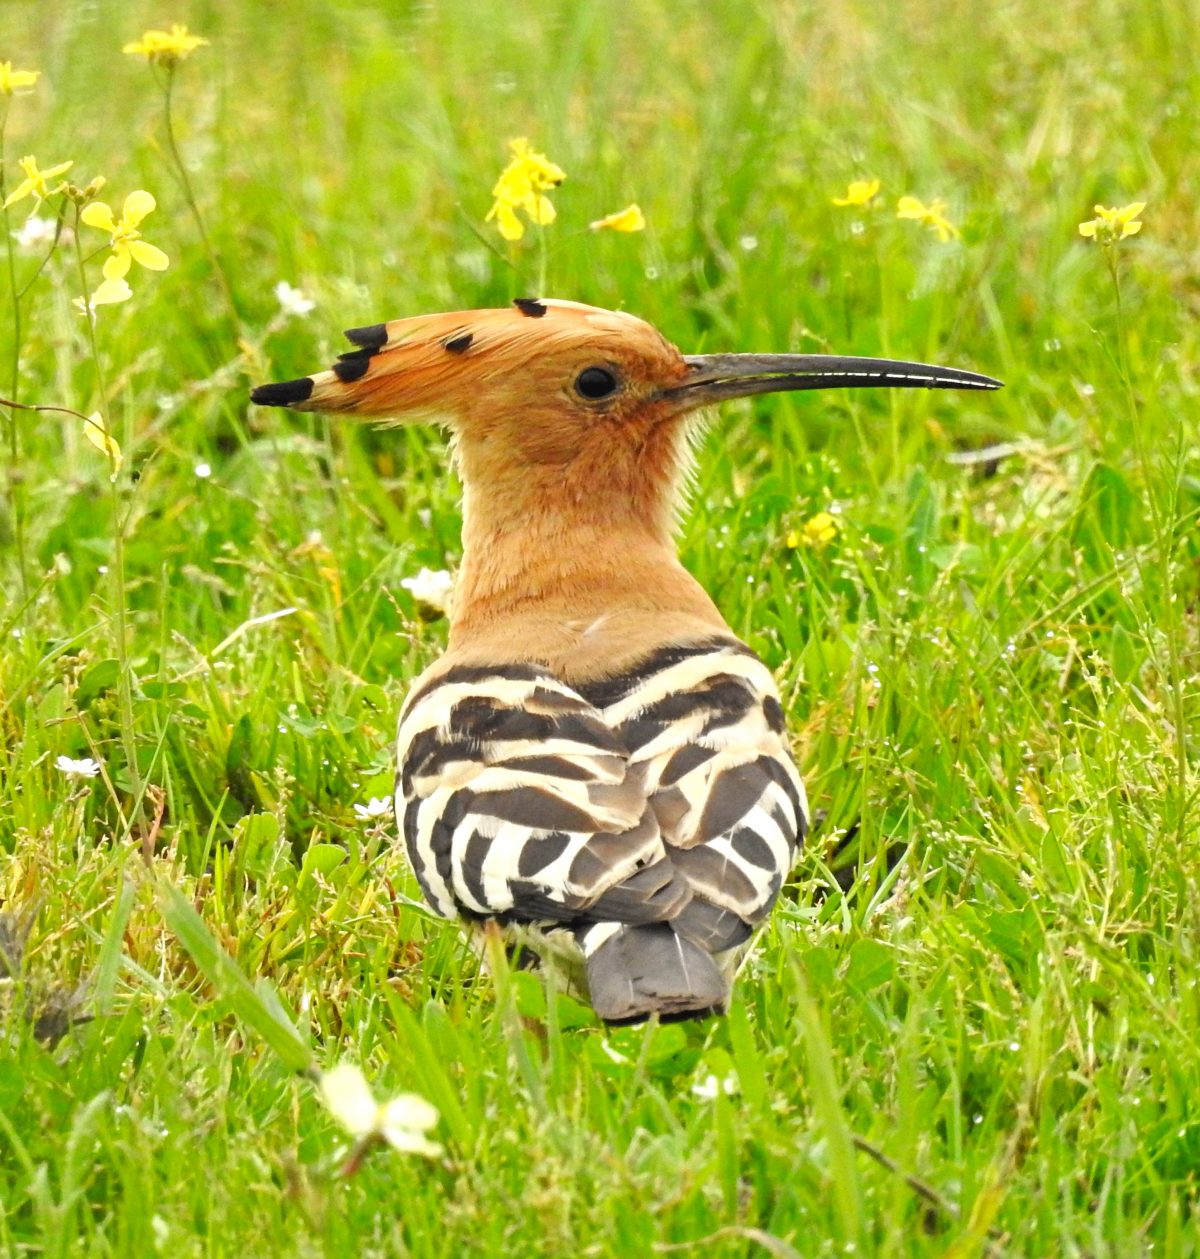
[[706, 728]]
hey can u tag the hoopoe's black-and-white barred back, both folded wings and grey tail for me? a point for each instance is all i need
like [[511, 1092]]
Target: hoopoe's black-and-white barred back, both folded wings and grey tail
[[642, 820]]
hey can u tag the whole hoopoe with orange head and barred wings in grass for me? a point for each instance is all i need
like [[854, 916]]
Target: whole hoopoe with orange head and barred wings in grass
[[597, 764]]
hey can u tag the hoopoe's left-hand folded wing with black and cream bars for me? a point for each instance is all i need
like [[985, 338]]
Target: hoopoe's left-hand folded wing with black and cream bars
[[518, 803]]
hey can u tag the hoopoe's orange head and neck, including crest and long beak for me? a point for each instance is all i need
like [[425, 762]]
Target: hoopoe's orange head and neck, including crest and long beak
[[570, 429]]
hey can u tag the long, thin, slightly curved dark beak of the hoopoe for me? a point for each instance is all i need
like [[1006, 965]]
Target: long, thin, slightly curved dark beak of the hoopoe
[[717, 377]]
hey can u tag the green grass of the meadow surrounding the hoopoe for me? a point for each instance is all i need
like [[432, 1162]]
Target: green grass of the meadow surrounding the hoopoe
[[993, 668]]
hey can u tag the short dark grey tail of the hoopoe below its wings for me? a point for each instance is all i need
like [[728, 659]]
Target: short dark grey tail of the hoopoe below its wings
[[649, 970]]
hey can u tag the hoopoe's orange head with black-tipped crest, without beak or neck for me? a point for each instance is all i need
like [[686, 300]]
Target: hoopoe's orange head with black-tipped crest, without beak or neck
[[535, 395]]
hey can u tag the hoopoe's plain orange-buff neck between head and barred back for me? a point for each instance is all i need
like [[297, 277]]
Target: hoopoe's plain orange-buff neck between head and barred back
[[575, 565]]
